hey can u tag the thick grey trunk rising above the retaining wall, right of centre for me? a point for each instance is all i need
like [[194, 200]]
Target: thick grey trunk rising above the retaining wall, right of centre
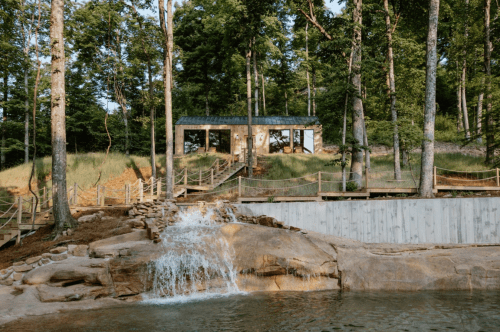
[[426, 172]]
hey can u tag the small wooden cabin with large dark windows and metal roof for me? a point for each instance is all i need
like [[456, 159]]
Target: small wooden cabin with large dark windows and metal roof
[[228, 134]]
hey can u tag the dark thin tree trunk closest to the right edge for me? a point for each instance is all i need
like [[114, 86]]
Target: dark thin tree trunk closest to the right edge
[[490, 130]]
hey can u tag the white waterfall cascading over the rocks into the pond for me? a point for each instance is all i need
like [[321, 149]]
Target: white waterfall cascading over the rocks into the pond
[[197, 262]]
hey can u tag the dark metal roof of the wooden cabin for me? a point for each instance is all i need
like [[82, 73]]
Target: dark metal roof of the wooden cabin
[[243, 120]]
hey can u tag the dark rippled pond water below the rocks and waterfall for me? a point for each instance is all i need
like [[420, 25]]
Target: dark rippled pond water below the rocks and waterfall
[[289, 311]]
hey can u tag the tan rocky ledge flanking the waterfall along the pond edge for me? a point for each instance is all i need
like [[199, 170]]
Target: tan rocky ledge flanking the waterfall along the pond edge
[[268, 256]]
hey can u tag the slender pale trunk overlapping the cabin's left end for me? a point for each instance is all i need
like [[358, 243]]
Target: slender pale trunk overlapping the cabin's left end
[[168, 79]]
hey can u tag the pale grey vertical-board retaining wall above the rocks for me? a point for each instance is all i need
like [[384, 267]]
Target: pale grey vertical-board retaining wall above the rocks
[[453, 220]]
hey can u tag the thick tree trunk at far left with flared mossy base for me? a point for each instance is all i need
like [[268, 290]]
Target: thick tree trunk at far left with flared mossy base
[[61, 212]]
